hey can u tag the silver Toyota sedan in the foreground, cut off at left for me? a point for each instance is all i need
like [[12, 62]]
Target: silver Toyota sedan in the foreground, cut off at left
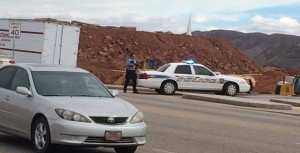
[[68, 106]]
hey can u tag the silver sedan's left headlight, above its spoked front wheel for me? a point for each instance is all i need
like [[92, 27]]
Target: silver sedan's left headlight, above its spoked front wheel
[[71, 116]]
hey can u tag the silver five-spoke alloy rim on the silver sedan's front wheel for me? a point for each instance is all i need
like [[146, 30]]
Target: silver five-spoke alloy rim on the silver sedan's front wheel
[[40, 136]]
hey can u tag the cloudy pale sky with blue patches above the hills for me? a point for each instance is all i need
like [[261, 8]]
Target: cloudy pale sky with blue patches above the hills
[[266, 16]]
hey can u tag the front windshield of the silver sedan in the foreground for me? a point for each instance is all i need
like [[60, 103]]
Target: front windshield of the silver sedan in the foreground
[[49, 83]]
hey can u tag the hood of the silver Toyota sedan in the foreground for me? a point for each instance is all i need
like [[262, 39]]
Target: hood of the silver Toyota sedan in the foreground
[[94, 106]]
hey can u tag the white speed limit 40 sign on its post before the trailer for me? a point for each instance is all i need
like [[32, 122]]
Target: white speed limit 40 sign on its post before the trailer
[[14, 31]]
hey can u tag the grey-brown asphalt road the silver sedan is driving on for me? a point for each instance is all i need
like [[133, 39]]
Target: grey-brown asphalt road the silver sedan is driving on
[[177, 125]]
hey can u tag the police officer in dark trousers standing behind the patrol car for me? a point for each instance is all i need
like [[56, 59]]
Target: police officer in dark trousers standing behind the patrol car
[[131, 65]]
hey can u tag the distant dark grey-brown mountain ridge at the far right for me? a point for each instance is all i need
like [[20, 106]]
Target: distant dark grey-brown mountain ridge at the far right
[[274, 50]]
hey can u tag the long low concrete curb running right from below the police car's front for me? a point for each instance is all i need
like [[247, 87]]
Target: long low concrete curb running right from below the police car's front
[[237, 101]]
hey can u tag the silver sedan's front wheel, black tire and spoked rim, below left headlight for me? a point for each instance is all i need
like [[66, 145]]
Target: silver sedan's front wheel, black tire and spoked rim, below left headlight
[[40, 136]]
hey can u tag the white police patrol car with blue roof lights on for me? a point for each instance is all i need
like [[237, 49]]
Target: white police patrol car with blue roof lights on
[[190, 76]]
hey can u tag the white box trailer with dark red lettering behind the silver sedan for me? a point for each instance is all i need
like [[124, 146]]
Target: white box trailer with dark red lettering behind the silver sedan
[[39, 42]]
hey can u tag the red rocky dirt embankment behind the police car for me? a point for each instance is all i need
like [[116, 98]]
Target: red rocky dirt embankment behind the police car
[[102, 50]]
